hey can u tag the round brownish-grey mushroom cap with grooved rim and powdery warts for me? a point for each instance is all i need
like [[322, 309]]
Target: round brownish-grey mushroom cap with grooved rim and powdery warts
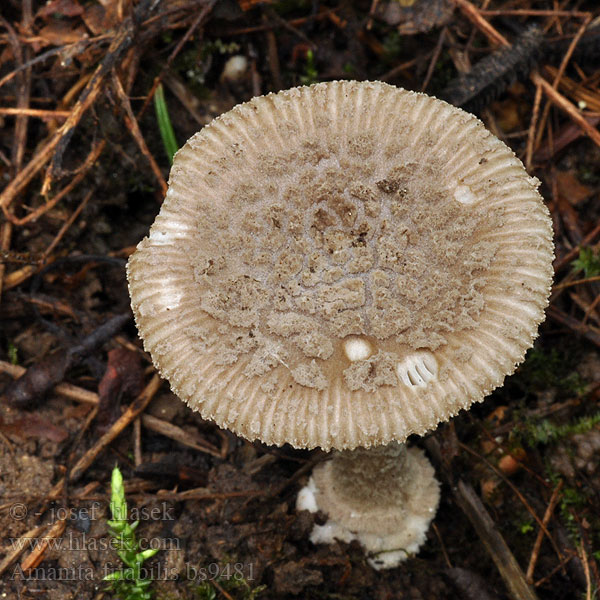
[[342, 265]]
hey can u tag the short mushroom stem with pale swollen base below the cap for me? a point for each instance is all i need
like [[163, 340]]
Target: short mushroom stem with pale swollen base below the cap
[[384, 497]]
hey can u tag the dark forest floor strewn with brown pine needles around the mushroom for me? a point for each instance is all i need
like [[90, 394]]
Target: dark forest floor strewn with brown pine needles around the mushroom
[[83, 170]]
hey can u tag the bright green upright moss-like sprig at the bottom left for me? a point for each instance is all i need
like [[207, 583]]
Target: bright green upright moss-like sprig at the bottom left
[[129, 583]]
